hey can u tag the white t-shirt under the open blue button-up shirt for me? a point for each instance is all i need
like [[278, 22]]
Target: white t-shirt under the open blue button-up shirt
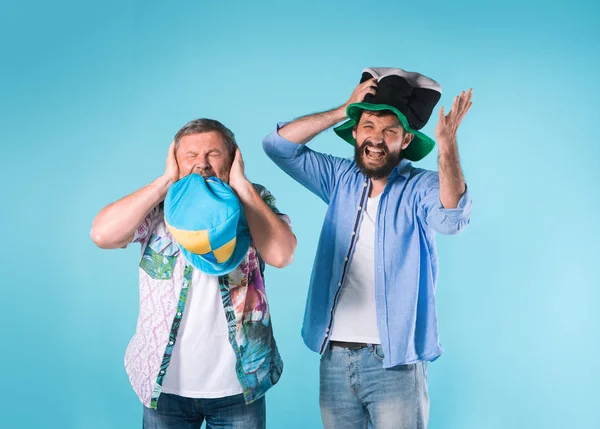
[[355, 317]]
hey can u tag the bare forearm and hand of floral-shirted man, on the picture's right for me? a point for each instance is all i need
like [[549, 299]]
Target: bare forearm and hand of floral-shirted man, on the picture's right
[[272, 236]]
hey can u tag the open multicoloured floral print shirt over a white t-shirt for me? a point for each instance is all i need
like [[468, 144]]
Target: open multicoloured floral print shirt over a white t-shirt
[[164, 279]]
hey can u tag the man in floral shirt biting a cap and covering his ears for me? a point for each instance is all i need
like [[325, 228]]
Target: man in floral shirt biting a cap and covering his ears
[[203, 348]]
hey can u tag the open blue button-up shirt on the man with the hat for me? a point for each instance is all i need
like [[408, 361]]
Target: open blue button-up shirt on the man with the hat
[[406, 269]]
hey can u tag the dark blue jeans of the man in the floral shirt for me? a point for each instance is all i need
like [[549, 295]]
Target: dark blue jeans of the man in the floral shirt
[[177, 412]]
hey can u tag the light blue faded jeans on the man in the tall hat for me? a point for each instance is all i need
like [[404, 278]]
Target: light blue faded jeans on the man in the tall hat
[[356, 392]]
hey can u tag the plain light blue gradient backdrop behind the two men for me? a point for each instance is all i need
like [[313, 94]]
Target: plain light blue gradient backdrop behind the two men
[[92, 94]]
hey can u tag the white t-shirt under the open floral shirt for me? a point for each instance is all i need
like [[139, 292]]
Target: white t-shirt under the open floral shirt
[[203, 362]]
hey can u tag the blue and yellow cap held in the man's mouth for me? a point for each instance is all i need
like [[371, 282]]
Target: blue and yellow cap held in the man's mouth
[[207, 220]]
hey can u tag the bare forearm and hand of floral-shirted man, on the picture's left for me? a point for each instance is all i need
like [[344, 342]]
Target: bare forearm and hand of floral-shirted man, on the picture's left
[[115, 226]]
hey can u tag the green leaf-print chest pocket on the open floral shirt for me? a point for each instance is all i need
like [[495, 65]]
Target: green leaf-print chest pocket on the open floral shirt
[[159, 258]]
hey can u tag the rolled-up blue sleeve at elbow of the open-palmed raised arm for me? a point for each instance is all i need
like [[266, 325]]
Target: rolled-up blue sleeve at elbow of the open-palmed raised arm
[[433, 214]]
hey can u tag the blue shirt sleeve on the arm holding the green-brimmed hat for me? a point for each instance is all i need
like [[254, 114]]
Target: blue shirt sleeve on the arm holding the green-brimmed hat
[[314, 170]]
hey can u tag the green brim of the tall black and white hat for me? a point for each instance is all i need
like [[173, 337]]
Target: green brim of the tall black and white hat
[[420, 146]]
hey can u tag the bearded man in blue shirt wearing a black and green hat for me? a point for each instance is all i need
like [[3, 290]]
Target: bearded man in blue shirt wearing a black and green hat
[[371, 311]]
